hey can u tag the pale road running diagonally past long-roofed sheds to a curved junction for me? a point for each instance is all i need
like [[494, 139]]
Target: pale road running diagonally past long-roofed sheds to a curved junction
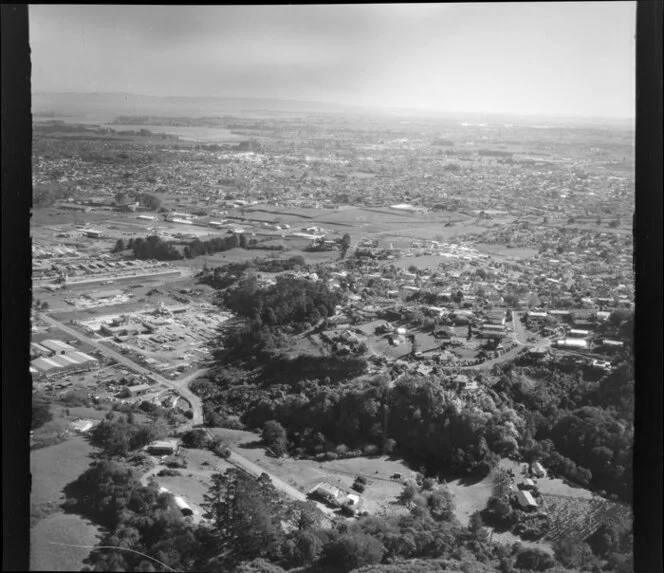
[[180, 386]]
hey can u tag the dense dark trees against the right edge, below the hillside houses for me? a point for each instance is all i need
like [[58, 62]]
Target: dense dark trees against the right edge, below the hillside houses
[[580, 429]]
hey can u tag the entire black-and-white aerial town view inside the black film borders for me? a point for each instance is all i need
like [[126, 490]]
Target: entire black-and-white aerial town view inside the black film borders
[[332, 288]]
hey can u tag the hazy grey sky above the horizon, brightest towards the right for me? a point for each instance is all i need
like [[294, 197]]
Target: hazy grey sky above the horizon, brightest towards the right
[[574, 59]]
